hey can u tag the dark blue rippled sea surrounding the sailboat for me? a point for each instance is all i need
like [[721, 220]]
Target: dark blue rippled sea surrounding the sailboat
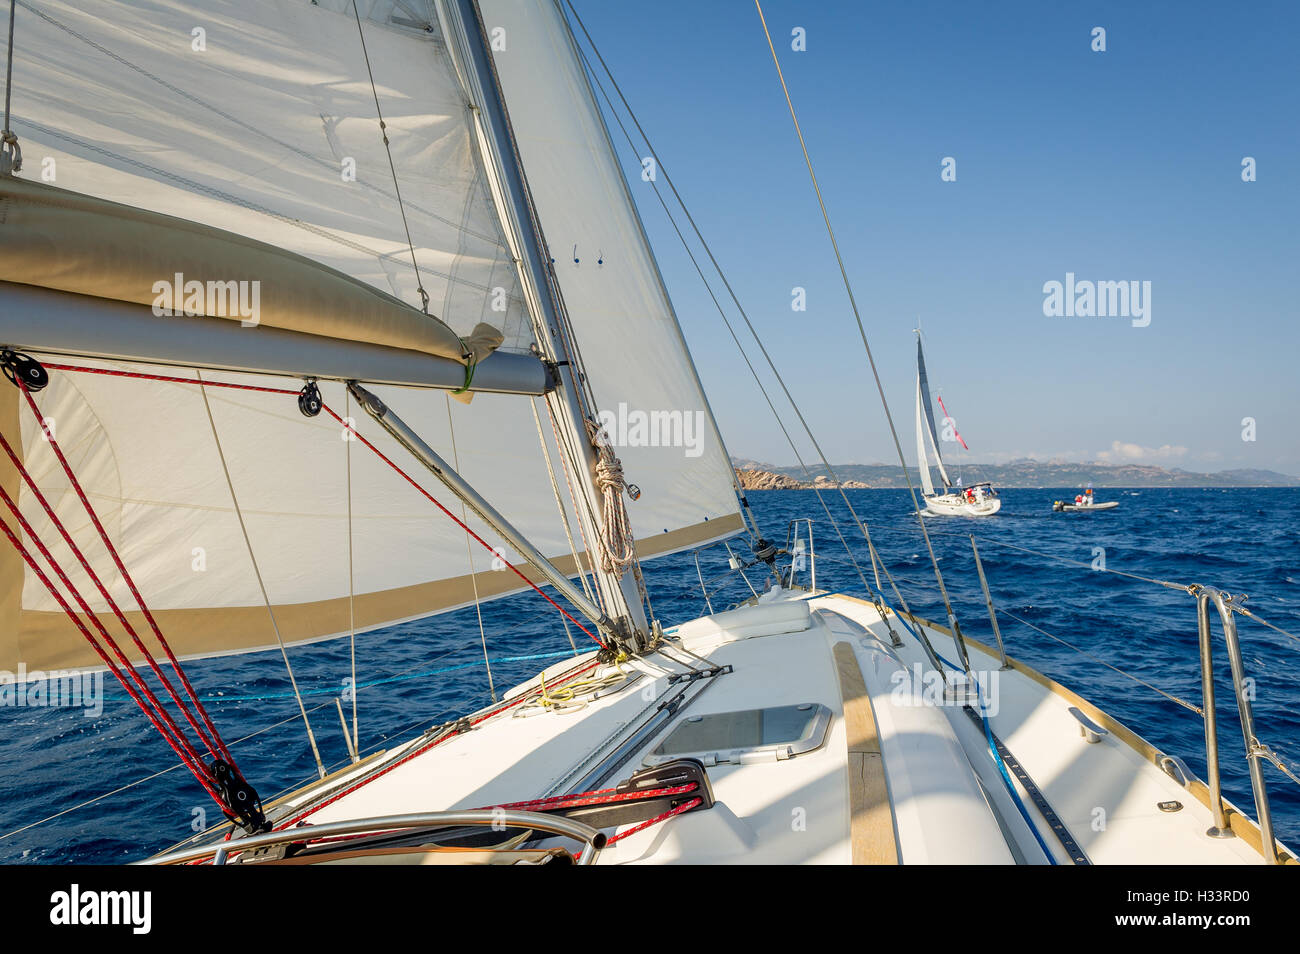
[[106, 790]]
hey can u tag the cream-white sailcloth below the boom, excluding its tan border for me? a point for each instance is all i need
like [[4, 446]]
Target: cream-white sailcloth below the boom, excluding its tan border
[[148, 459]]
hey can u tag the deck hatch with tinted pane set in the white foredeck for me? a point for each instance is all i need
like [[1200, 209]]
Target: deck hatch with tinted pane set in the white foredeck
[[778, 732]]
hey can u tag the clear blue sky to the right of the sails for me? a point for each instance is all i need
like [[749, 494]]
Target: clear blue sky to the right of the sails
[[1116, 166]]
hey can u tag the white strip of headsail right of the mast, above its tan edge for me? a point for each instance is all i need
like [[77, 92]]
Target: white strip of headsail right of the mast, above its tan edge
[[638, 362]]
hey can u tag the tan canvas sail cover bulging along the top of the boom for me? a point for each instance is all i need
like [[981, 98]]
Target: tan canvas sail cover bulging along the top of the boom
[[71, 242]]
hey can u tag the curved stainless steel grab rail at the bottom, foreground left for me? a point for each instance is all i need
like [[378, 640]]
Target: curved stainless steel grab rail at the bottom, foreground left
[[592, 838]]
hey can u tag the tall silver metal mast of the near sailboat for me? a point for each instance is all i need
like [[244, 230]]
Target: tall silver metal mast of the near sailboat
[[619, 593]]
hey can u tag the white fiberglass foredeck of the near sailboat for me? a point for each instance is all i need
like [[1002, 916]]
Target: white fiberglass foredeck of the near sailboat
[[946, 800]]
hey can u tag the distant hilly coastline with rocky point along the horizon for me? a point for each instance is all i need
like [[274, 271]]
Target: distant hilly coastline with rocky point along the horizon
[[1019, 474]]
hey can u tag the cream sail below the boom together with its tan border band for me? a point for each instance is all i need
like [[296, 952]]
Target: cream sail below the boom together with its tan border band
[[145, 454]]
